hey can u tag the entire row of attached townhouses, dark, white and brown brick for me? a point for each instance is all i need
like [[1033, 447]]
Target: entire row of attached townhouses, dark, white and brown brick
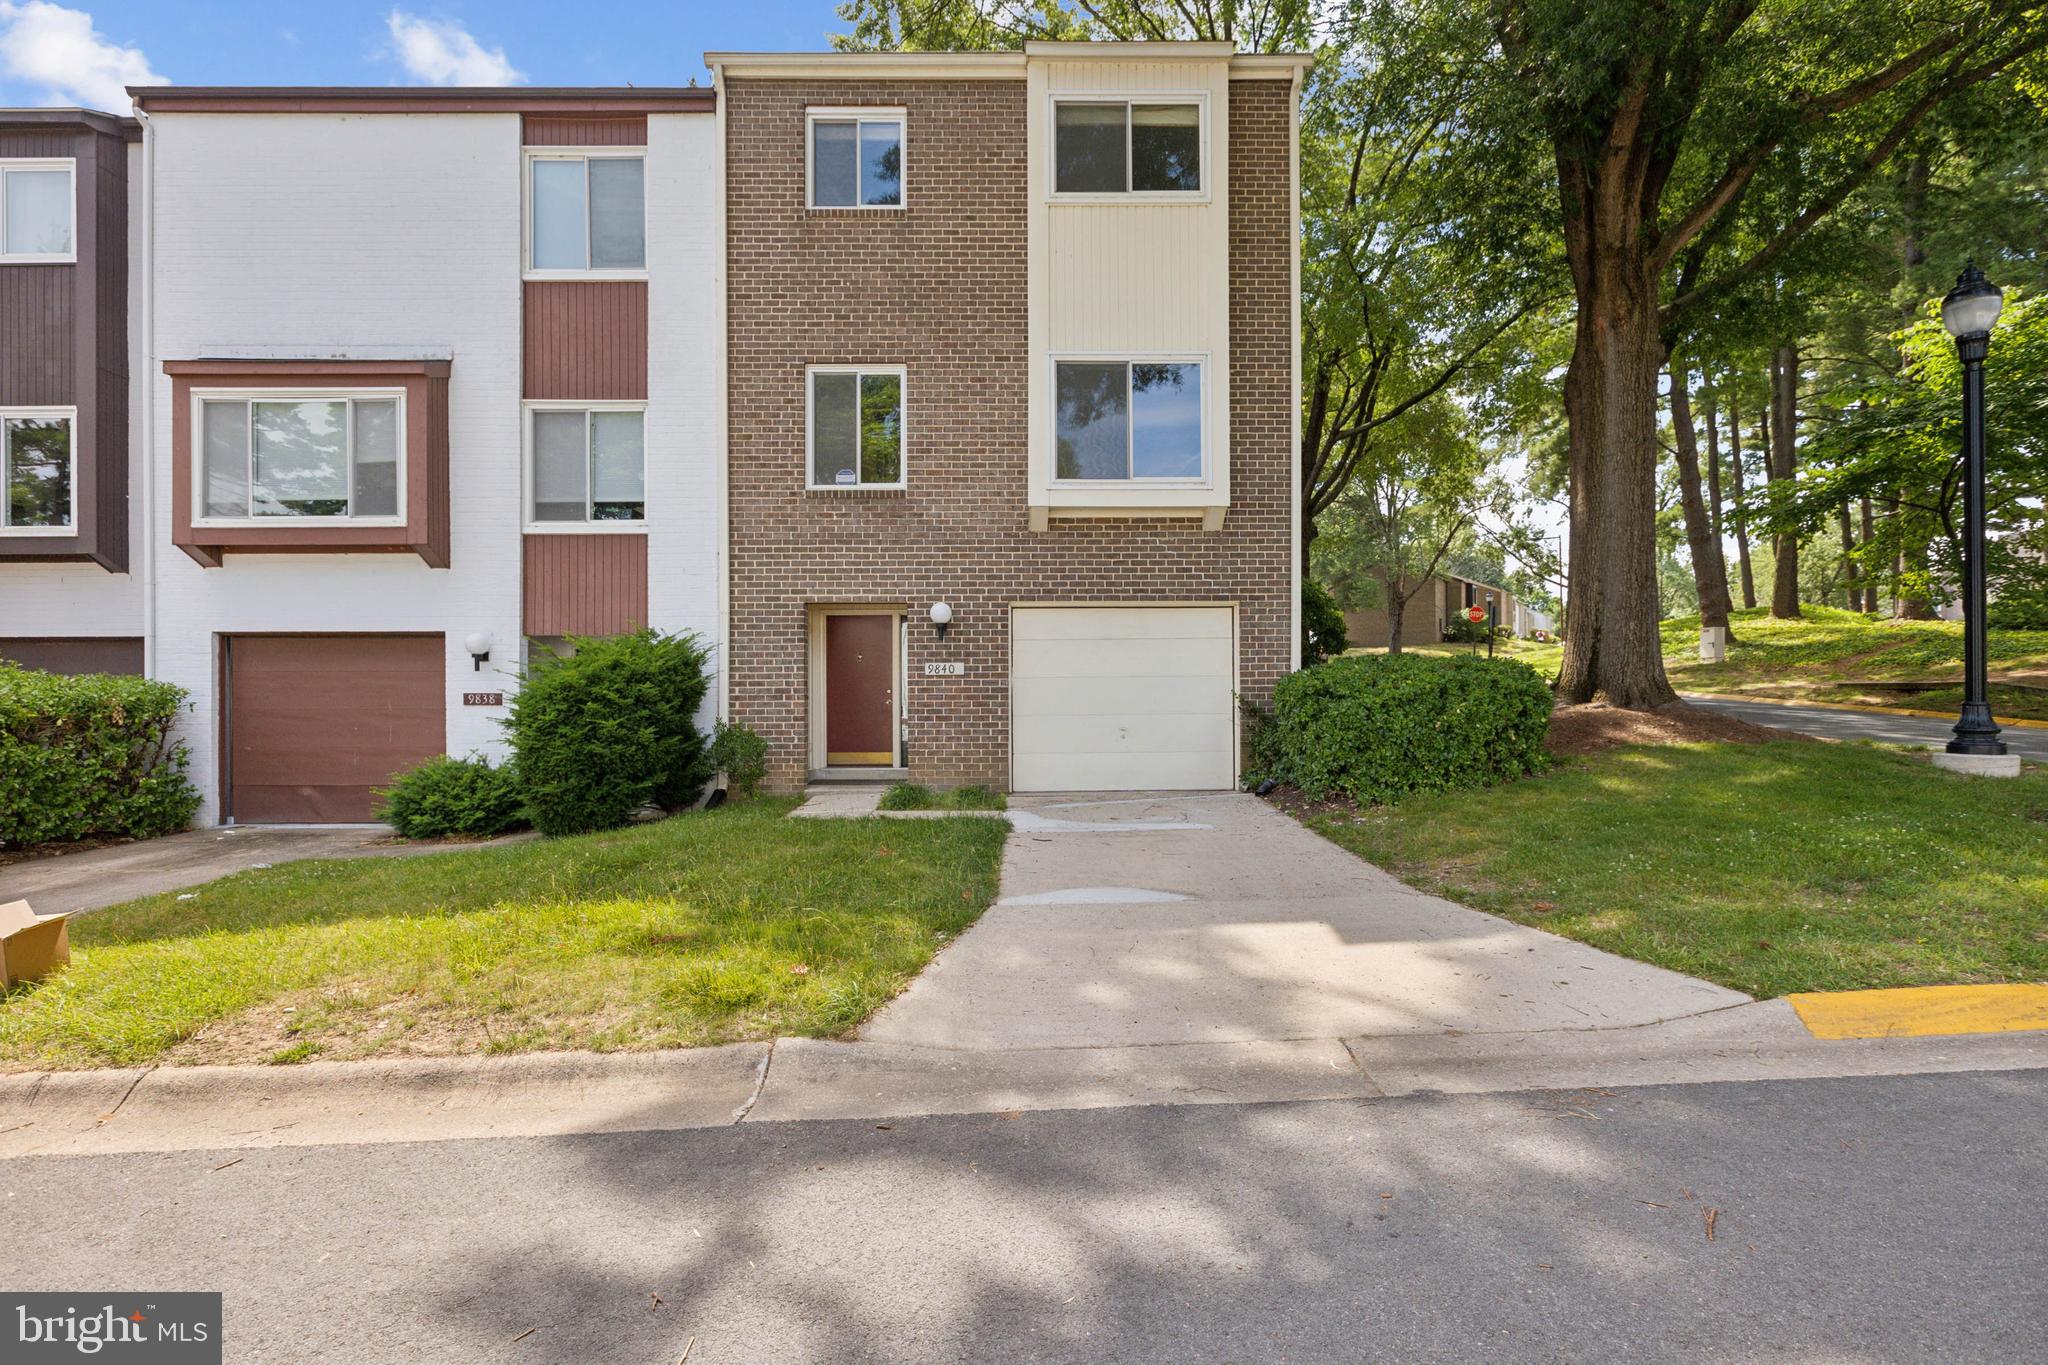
[[951, 396]]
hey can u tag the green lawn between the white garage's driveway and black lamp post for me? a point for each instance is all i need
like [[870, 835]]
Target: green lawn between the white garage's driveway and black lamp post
[[1768, 869]]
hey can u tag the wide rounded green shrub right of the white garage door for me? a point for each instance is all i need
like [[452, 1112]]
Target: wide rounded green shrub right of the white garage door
[[1379, 728]]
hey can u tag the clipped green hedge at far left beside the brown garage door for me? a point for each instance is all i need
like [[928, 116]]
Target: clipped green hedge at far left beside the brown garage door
[[89, 756]]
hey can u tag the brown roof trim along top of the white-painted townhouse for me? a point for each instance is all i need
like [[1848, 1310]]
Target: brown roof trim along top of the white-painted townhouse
[[427, 101]]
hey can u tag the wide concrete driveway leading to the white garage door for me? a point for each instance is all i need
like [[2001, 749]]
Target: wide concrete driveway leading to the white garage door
[[1213, 918]]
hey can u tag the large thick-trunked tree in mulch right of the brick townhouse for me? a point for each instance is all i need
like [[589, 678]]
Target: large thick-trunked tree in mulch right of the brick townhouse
[[1701, 101]]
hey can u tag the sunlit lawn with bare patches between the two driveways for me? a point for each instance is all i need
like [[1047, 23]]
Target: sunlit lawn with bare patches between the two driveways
[[708, 928]]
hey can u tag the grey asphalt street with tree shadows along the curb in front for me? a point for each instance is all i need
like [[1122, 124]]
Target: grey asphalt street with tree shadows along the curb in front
[[1883, 1219]]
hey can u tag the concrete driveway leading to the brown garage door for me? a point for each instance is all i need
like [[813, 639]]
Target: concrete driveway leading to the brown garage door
[[73, 883]]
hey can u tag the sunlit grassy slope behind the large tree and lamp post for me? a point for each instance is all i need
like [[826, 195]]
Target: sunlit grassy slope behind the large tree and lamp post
[[1828, 652]]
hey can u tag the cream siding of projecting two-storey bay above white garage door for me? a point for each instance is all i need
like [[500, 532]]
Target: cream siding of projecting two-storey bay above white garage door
[[1132, 277]]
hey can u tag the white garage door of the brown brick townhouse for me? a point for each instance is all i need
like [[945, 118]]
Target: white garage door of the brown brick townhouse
[[1113, 699]]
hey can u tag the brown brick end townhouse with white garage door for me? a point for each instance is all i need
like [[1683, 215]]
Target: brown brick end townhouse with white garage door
[[1011, 378]]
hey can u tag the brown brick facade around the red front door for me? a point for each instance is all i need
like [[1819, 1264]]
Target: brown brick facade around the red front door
[[941, 290]]
